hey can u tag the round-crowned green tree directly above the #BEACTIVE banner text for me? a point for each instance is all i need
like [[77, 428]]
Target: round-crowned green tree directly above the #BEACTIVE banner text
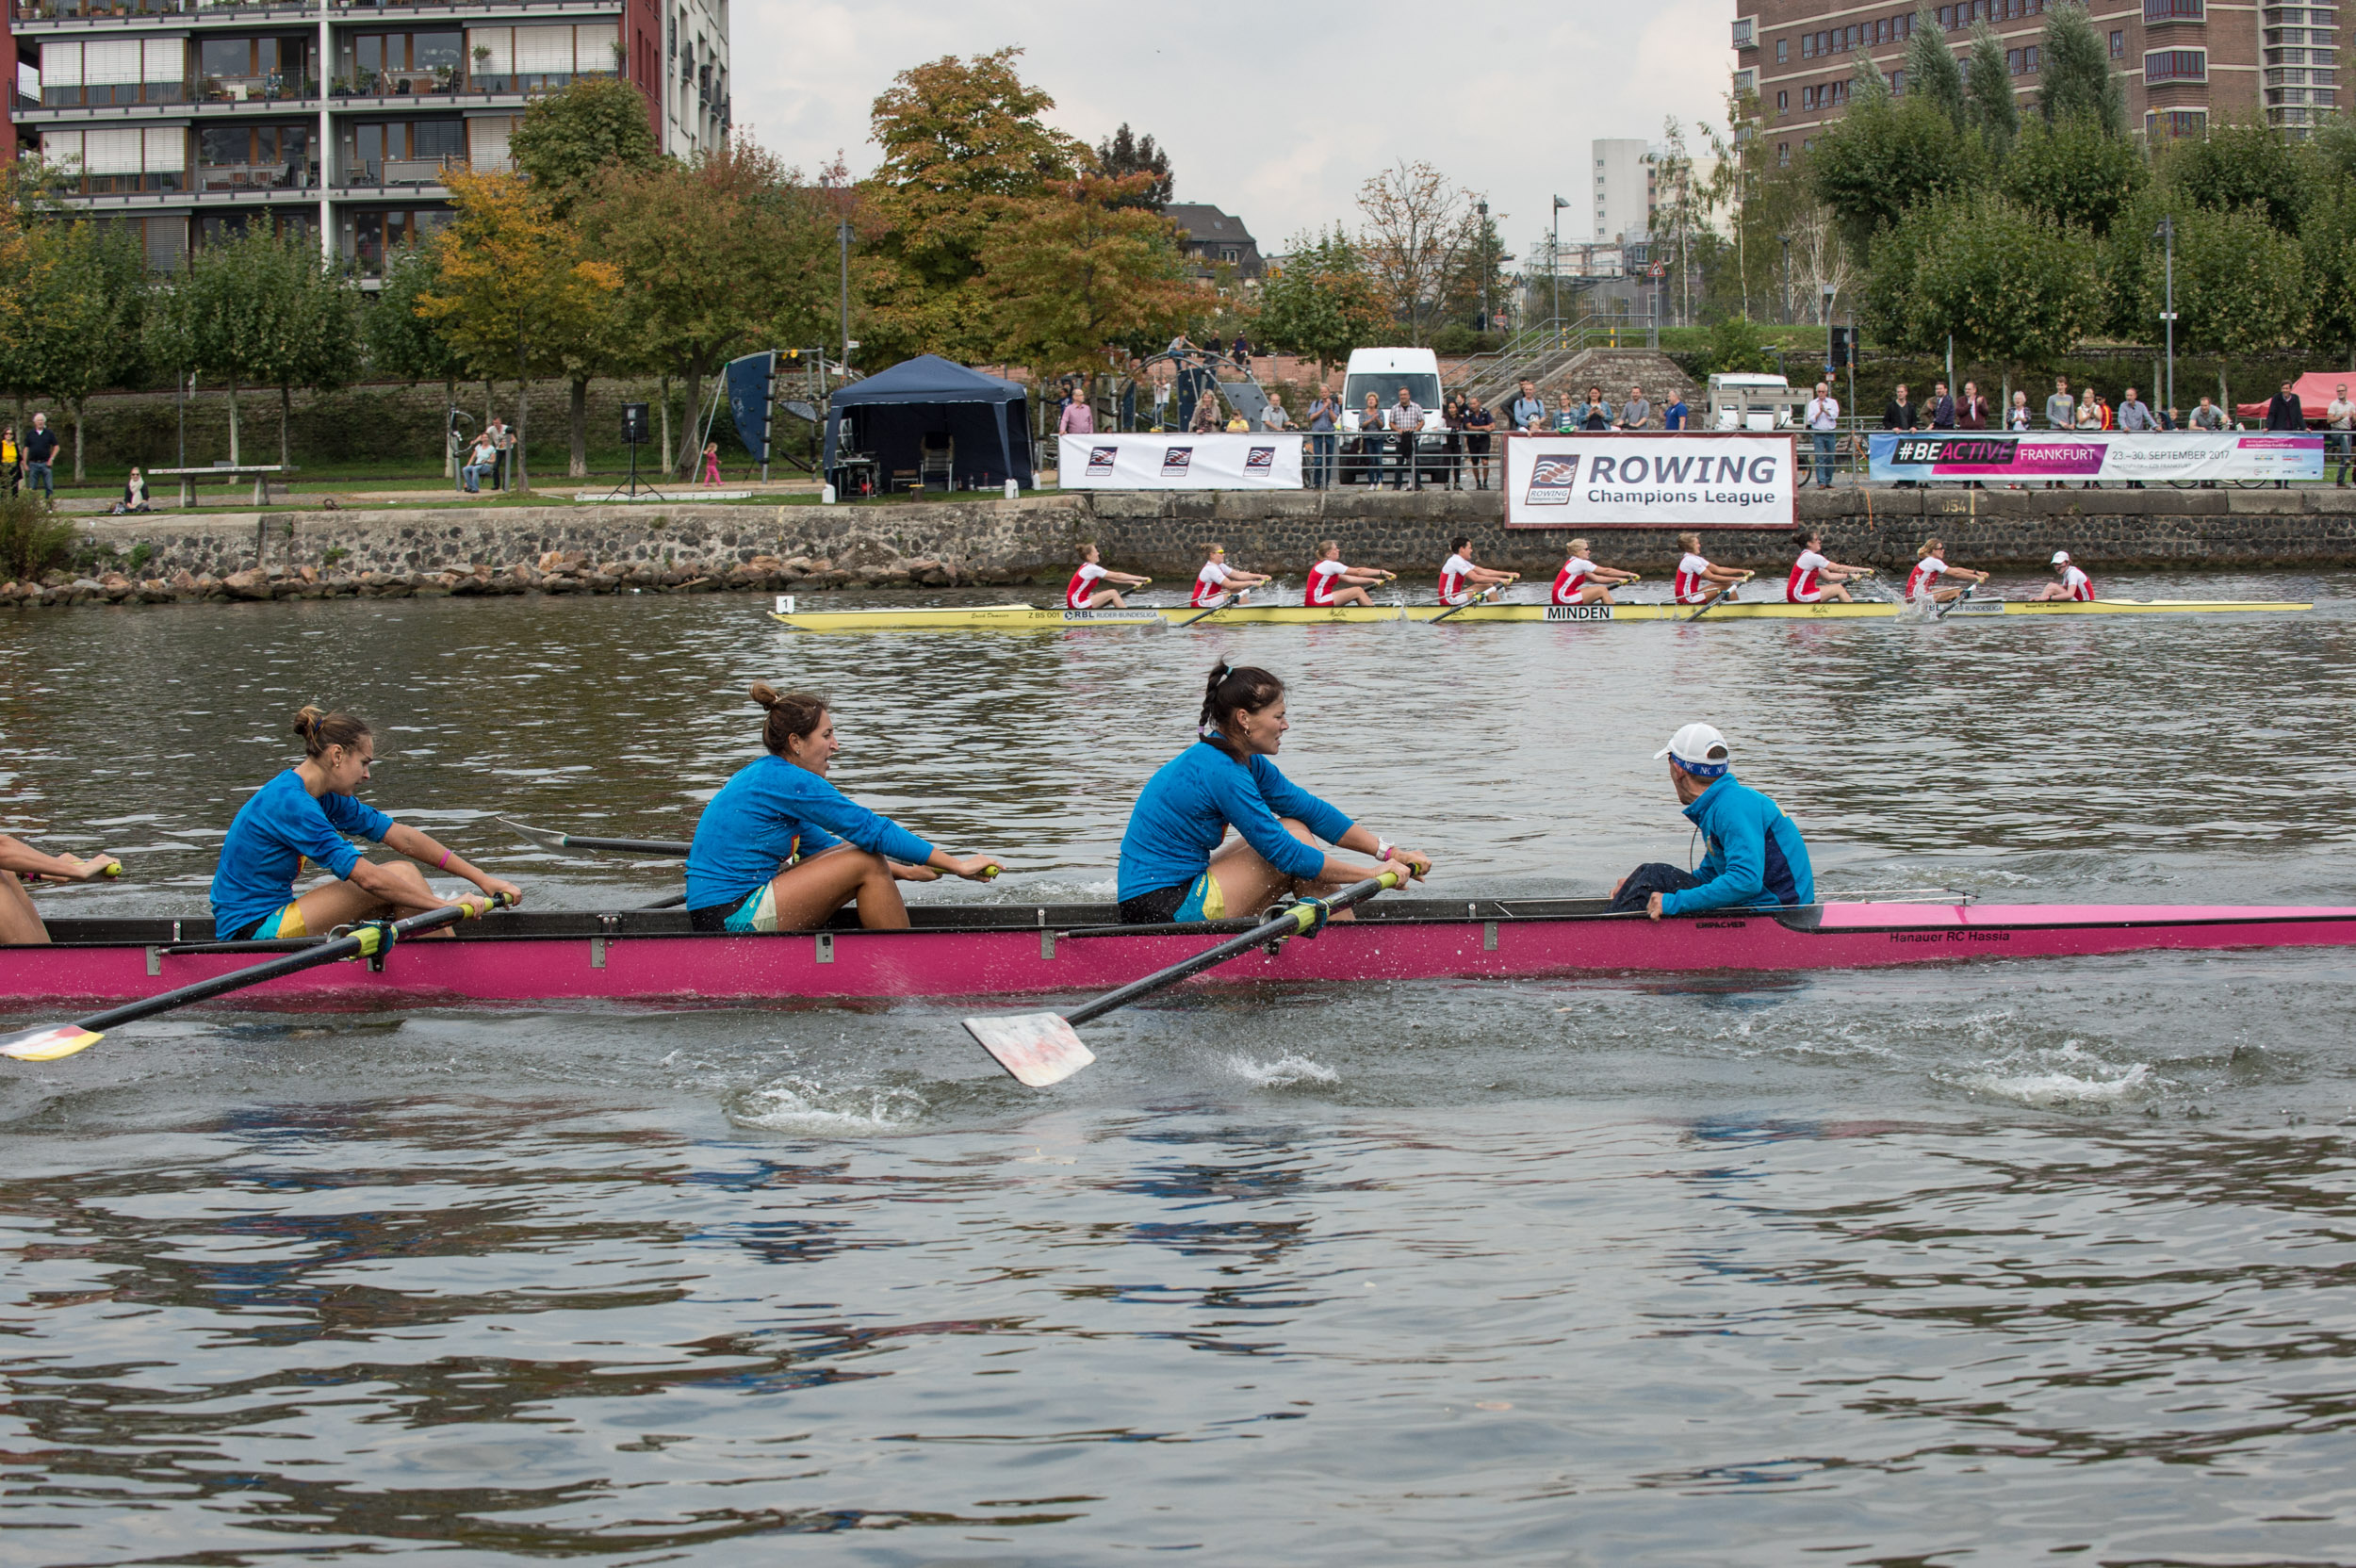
[[2004, 281]]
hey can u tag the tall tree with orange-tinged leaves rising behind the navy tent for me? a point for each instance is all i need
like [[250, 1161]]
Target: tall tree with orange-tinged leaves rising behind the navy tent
[[962, 145]]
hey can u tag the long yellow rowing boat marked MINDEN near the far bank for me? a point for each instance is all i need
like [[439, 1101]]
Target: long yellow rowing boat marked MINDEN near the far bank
[[1028, 618]]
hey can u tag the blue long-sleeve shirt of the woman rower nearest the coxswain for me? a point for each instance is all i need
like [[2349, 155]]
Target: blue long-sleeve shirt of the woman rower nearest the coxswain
[[1191, 804]]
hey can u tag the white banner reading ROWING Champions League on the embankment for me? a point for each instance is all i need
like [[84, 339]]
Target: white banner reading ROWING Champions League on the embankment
[[1650, 481]]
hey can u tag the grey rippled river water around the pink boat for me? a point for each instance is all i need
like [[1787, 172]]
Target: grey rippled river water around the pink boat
[[1957, 1265]]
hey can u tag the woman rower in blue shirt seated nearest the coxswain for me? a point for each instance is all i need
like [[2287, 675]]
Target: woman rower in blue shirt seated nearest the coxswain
[[1172, 858]]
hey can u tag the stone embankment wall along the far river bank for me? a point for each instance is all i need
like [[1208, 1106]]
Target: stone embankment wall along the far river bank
[[604, 550]]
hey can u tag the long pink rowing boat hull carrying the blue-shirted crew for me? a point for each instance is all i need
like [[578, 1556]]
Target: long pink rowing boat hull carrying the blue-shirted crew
[[1000, 950]]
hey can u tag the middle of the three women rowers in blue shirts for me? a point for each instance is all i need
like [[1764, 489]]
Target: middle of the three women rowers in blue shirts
[[781, 849]]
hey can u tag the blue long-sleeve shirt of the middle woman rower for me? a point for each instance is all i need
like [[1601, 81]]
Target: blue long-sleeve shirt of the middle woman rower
[[774, 811]]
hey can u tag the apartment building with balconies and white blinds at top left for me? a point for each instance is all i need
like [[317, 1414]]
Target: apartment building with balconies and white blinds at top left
[[194, 119]]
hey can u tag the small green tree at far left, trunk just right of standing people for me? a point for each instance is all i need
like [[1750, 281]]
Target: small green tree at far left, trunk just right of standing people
[[91, 303]]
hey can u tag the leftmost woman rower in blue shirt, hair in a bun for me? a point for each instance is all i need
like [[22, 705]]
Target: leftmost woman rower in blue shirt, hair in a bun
[[303, 816]]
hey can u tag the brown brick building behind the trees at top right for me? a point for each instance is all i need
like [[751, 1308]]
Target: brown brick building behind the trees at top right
[[2183, 60]]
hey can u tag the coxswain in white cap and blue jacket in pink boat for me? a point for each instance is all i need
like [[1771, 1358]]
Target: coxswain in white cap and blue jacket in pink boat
[[1754, 858]]
